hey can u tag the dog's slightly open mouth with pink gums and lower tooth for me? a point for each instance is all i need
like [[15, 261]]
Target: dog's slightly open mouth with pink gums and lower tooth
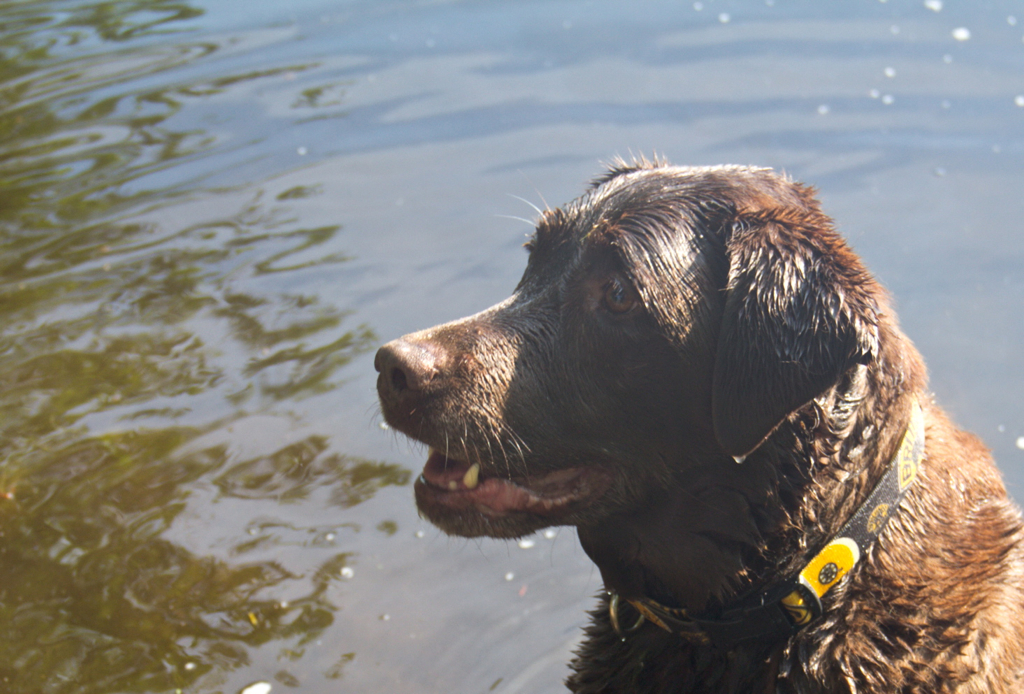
[[458, 486]]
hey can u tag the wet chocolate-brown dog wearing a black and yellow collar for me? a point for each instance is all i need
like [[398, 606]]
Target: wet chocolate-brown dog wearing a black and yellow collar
[[672, 323]]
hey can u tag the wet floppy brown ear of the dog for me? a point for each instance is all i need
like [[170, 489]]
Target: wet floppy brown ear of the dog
[[800, 311]]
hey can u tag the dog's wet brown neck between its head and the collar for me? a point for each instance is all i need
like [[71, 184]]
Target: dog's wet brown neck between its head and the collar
[[724, 531]]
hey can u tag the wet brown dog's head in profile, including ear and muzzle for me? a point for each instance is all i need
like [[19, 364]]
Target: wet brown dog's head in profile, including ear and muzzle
[[668, 319]]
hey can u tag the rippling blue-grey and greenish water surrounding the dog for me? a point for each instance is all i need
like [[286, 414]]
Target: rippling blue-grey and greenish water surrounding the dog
[[211, 216]]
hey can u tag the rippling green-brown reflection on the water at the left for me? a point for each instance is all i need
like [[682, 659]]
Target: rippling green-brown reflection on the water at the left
[[139, 322]]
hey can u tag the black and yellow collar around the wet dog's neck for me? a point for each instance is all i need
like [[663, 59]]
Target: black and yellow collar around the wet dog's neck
[[781, 612]]
